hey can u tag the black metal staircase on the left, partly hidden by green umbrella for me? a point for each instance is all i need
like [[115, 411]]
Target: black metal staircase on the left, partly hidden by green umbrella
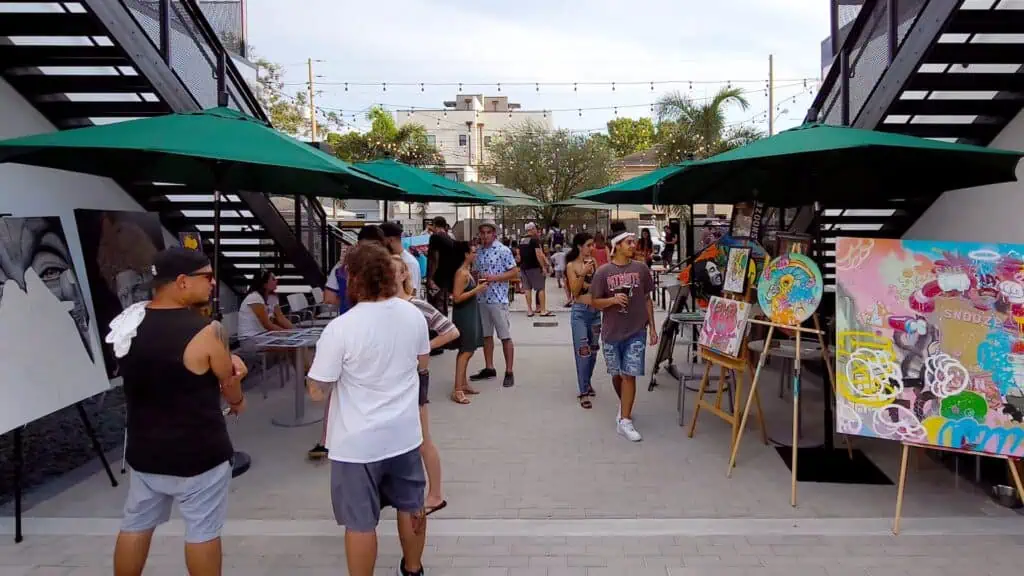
[[93, 62]]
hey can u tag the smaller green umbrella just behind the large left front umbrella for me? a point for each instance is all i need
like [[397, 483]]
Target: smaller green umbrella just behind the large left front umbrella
[[423, 186]]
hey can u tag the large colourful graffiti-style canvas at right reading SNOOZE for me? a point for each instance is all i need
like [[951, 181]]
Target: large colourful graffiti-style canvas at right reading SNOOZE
[[930, 343]]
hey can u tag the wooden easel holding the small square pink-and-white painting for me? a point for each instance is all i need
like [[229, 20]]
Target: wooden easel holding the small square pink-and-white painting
[[739, 368]]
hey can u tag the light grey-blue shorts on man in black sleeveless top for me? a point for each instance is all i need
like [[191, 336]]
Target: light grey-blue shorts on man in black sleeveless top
[[202, 501]]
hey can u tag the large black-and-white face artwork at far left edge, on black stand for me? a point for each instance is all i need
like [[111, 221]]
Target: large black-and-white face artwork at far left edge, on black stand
[[47, 347]]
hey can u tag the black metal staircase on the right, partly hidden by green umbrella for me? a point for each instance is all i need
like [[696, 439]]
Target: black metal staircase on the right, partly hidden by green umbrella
[[938, 69]]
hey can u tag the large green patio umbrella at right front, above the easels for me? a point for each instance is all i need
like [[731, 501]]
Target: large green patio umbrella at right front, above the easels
[[817, 162]]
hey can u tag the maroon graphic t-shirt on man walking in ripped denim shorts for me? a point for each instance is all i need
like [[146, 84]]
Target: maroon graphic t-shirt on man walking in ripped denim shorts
[[635, 281]]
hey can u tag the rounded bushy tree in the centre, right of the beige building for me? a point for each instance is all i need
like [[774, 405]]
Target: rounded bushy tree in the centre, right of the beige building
[[549, 167]]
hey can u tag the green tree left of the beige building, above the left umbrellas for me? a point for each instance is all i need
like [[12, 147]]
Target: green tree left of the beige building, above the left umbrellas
[[408, 144]]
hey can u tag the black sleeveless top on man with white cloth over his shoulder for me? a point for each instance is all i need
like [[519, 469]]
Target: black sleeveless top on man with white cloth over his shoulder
[[176, 424]]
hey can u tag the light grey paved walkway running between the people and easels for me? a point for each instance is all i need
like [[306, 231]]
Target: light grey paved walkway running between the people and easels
[[538, 486]]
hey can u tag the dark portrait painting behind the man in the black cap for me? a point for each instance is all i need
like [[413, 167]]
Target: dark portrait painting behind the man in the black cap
[[119, 248]]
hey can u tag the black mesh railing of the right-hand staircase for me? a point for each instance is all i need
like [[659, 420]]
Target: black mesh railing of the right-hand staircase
[[867, 50]]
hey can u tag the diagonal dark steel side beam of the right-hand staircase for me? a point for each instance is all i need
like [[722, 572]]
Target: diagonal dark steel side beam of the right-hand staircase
[[921, 37]]
